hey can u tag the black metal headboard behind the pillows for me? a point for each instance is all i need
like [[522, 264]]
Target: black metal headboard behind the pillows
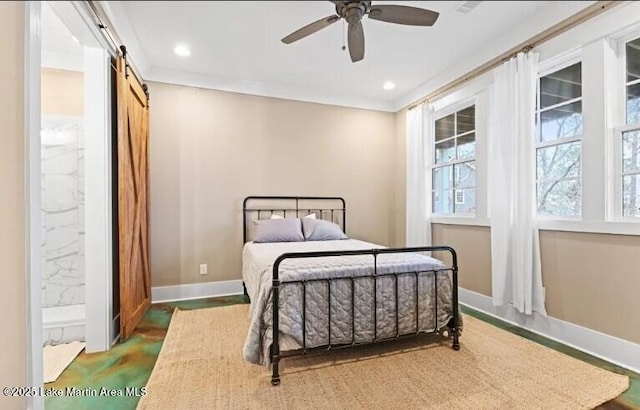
[[332, 209]]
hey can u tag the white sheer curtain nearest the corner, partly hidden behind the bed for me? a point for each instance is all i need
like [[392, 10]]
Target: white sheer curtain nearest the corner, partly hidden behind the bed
[[419, 157]]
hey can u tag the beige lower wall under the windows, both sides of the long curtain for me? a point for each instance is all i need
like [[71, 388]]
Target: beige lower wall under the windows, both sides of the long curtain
[[590, 279]]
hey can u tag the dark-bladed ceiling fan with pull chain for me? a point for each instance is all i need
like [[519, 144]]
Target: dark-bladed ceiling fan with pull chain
[[354, 11]]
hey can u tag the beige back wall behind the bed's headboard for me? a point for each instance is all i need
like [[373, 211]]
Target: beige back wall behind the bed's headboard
[[209, 149]]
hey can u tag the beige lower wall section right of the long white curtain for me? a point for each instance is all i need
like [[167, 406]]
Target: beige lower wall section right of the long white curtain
[[592, 280]]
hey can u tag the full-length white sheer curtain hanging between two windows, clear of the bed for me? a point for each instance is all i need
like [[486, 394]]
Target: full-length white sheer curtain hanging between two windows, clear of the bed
[[515, 248]]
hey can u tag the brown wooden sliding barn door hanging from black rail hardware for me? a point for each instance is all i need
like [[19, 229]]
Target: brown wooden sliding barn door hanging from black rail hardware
[[133, 196]]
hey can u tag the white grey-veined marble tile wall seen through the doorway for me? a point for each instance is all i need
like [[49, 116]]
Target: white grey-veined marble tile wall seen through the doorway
[[62, 205]]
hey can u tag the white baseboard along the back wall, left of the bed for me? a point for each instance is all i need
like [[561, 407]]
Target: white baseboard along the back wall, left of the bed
[[196, 291]]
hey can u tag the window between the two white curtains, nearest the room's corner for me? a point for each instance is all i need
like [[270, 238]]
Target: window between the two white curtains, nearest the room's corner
[[454, 172]]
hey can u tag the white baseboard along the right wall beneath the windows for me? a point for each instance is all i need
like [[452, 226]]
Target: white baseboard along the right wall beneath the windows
[[610, 348]]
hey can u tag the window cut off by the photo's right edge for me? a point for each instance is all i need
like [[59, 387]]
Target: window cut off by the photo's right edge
[[631, 134]]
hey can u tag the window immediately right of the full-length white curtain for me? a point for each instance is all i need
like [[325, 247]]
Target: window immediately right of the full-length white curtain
[[558, 148]]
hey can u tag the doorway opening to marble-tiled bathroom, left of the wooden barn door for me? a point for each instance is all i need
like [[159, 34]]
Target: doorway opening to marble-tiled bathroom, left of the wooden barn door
[[74, 170]]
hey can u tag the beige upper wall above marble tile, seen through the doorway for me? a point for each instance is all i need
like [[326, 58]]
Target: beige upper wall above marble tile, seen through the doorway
[[62, 92]]
